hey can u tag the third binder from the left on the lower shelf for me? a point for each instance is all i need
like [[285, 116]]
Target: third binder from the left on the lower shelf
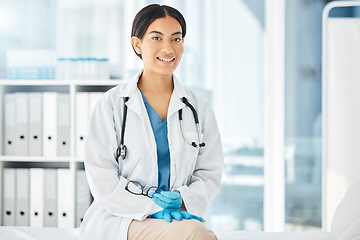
[[36, 197]]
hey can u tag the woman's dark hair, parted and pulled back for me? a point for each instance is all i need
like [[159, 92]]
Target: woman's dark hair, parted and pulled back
[[150, 13]]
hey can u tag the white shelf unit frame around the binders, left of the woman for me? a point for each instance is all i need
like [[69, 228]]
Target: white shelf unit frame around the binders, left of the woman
[[73, 161]]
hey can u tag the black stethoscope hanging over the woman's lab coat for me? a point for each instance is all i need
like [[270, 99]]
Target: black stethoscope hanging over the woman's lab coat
[[121, 151]]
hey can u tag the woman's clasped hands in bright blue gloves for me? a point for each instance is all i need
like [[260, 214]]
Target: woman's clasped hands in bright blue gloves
[[171, 203]]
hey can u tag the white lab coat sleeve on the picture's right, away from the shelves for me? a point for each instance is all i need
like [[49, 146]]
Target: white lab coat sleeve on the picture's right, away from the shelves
[[205, 181]]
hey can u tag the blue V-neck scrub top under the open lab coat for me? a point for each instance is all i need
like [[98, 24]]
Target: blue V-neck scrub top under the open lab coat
[[162, 145]]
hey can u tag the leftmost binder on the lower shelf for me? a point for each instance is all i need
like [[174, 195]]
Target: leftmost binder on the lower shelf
[[9, 197]]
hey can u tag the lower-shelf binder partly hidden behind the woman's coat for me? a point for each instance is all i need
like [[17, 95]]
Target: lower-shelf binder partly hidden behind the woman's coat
[[83, 196]]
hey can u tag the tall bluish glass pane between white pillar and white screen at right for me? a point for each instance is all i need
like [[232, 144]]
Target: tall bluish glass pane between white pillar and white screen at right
[[303, 115]]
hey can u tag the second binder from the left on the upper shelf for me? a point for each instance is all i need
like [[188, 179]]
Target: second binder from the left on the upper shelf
[[22, 119]]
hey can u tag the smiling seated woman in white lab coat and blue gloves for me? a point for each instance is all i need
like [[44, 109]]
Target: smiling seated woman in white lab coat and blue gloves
[[165, 128]]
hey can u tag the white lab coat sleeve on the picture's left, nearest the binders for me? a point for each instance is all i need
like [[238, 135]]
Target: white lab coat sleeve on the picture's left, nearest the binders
[[107, 187]]
